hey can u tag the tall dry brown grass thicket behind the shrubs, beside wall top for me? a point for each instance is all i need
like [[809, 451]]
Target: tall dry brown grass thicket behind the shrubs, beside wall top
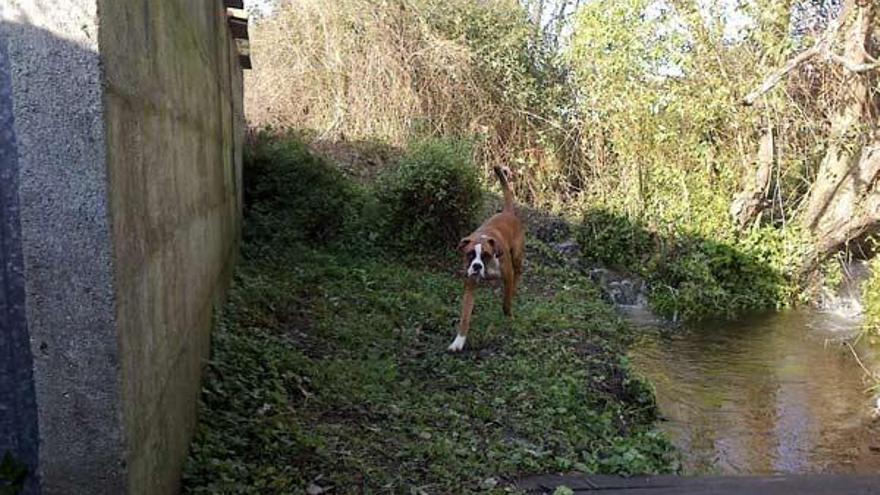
[[362, 70]]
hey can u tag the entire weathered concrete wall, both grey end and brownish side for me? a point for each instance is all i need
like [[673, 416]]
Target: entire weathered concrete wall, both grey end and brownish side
[[120, 145]]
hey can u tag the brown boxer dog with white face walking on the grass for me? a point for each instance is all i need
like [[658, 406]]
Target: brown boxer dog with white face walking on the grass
[[495, 250]]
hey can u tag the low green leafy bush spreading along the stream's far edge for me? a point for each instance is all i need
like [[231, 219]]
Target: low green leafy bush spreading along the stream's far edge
[[691, 276]]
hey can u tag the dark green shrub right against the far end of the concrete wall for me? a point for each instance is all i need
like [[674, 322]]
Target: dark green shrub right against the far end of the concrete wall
[[291, 193]]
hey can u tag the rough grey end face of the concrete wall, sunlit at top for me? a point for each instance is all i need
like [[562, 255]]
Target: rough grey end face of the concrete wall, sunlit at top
[[66, 242]]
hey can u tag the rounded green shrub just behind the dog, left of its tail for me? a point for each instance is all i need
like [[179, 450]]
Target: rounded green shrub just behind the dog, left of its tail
[[432, 197]]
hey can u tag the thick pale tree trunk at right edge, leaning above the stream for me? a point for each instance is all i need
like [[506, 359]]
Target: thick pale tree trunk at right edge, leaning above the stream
[[842, 206]]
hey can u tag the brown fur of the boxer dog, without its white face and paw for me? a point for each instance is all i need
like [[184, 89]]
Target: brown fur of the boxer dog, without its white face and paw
[[501, 234]]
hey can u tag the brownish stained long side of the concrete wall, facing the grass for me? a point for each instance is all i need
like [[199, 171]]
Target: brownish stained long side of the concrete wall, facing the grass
[[170, 125]]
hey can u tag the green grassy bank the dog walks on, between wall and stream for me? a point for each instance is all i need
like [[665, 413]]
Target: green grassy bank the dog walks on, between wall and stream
[[329, 366]]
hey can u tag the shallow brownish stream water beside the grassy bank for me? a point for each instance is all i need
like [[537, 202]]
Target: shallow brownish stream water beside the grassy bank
[[769, 394]]
